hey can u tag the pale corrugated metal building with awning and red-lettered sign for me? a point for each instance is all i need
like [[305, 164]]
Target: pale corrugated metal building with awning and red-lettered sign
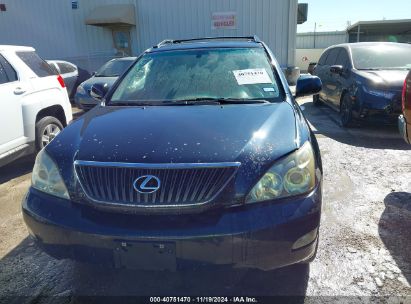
[[89, 32]]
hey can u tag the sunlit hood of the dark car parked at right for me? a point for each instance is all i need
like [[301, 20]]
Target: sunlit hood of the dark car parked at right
[[388, 79]]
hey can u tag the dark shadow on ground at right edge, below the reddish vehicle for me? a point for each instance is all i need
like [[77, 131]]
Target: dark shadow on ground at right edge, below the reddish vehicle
[[395, 230]]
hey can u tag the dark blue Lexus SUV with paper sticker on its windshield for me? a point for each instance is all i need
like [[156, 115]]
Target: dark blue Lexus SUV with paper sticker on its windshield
[[198, 154]]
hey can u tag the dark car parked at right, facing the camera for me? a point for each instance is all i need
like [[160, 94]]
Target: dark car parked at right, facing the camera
[[364, 80]]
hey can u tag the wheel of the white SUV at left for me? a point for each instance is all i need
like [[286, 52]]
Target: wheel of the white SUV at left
[[47, 129]]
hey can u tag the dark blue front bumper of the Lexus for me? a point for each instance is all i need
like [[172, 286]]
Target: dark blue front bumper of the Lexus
[[262, 236]]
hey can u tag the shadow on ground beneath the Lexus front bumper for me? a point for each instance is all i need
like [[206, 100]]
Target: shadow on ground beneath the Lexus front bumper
[[26, 271]]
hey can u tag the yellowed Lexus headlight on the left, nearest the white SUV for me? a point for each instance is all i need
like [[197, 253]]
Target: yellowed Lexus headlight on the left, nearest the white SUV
[[46, 176]]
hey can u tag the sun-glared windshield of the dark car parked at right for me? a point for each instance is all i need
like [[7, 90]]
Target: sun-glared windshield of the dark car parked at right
[[384, 56]]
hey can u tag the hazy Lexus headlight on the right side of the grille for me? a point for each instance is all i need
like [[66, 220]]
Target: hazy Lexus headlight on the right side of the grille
[[291, 176]]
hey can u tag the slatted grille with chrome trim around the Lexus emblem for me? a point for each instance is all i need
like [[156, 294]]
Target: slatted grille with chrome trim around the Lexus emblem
[[181, 184]]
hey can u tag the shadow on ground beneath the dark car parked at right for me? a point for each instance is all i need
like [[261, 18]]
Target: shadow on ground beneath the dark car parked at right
[[366, 134]]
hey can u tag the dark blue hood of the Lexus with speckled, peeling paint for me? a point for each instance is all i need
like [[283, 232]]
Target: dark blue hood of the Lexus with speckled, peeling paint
[[255, 135]]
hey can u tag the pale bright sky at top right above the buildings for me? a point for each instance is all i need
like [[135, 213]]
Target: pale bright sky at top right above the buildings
[[333, 15]]
